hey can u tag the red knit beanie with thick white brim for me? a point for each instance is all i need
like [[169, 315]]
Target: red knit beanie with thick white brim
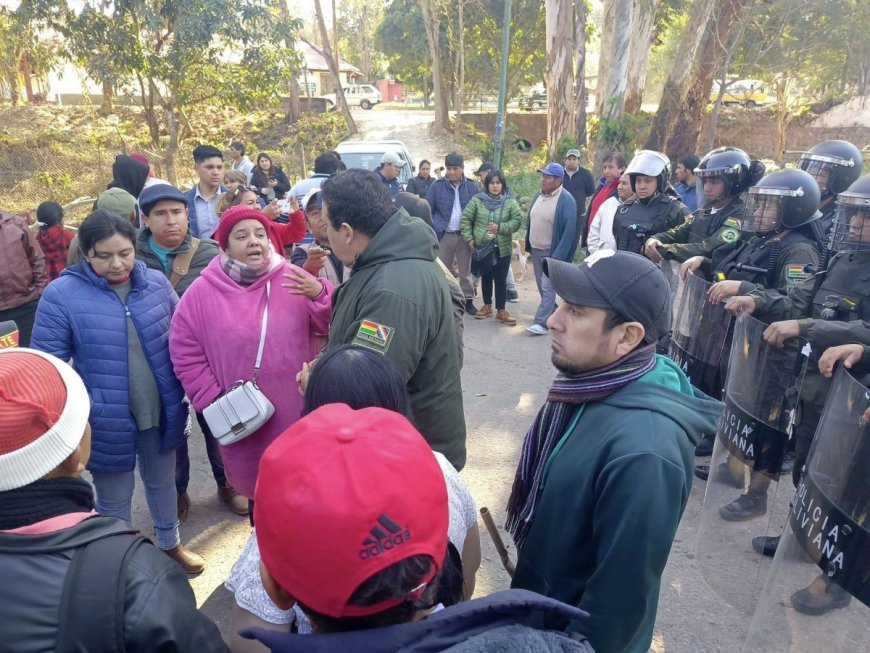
[[44, 408]]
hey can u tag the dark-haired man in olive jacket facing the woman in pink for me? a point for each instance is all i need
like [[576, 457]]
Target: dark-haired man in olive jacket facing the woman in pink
[[397, 302]]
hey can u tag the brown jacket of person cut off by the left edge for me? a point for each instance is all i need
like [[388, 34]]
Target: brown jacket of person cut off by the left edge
[[22, 265]]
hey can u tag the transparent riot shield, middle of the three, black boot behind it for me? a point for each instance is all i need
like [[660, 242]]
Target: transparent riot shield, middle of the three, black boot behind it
[[743, 498]]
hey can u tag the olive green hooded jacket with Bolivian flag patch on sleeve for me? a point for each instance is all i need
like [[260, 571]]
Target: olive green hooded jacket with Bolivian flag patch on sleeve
[[395, 282]]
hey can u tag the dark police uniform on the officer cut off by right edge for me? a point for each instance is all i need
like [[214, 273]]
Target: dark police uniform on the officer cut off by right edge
[[832, 308]]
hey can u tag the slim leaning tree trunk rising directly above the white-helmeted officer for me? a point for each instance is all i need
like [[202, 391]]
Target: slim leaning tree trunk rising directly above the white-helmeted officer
[[676, 88]]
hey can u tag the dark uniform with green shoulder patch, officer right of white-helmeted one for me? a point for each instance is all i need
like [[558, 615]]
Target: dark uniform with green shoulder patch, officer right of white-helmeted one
[[705, 230]]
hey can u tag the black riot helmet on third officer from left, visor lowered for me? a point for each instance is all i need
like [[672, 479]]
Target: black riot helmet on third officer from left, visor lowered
[[785, 199]]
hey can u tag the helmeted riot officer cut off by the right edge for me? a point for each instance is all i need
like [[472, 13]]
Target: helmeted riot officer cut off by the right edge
[[829, 309]]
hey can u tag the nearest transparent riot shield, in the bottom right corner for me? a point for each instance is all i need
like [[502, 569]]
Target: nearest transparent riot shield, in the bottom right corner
[[817, 594]]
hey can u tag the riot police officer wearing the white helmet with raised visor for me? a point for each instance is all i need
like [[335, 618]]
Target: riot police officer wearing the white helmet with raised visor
[[651, 210]]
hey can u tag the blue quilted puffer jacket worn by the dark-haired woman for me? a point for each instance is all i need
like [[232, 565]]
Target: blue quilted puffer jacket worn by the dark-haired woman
[[81, 318]]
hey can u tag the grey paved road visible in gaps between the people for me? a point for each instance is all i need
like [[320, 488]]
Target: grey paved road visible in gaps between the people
[[505, 379]]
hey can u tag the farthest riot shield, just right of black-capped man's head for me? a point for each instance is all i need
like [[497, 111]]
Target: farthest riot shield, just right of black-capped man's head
[[698, 338]]
